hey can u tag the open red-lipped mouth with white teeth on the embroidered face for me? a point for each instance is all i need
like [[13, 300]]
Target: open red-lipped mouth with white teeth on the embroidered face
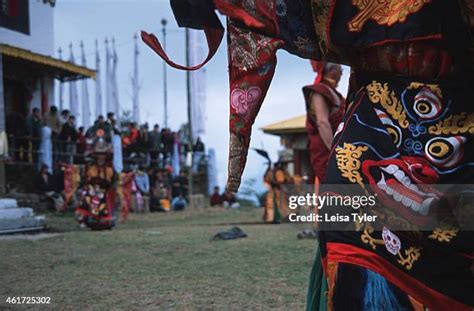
[[401, 185]]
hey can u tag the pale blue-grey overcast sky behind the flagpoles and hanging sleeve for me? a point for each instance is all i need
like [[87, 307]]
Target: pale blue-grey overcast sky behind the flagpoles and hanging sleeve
[[88, 20]]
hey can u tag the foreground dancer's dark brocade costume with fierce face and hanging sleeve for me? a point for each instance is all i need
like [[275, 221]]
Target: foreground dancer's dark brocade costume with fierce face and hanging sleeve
[[410, 123]]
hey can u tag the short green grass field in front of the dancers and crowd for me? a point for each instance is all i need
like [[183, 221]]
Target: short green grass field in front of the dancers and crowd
[[162, 261]]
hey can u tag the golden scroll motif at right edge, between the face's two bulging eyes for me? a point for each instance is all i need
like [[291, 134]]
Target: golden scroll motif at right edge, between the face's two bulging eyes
[[455, 124]]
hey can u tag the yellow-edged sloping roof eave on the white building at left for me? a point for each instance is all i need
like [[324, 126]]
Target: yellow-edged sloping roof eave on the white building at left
[[62, 70]]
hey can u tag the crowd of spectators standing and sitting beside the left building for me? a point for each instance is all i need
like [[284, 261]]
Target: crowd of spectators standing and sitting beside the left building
[[150, 153]]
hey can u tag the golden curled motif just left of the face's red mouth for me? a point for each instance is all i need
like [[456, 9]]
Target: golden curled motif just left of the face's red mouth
[[348, 162]]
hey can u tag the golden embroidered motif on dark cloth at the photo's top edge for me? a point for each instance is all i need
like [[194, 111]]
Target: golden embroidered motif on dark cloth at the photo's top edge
[[384, 12]]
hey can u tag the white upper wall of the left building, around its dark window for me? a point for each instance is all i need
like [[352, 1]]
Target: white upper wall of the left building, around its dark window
[[41, 38]]
